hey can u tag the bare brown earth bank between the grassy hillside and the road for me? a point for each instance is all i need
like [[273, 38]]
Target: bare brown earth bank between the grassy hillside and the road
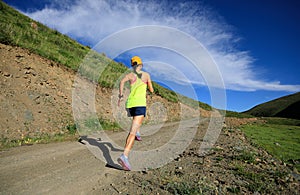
[[36, 97]]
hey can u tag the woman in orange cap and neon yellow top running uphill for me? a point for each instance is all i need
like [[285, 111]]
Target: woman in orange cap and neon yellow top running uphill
[[135, 105]]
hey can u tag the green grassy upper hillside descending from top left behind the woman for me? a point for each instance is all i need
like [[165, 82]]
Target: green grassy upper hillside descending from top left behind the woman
[[19, 30]]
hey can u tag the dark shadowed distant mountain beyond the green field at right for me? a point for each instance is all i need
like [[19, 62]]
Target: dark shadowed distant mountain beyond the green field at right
[[286, 107]]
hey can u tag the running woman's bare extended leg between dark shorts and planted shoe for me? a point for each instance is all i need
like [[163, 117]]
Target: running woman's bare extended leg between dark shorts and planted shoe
[[136, 124]]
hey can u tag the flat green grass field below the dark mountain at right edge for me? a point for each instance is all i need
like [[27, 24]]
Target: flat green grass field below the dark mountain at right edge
[[277, 138]]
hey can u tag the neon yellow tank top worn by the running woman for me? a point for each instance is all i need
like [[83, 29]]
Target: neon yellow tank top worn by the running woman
[[137, 96]]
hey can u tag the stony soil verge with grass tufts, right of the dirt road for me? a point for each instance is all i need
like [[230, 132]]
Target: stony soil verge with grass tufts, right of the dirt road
[[233, 166]]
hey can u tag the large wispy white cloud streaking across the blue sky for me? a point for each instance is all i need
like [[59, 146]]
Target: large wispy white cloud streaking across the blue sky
[[90, 21]]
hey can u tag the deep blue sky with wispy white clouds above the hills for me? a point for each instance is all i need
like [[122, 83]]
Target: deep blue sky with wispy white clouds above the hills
[[254, 44]]
